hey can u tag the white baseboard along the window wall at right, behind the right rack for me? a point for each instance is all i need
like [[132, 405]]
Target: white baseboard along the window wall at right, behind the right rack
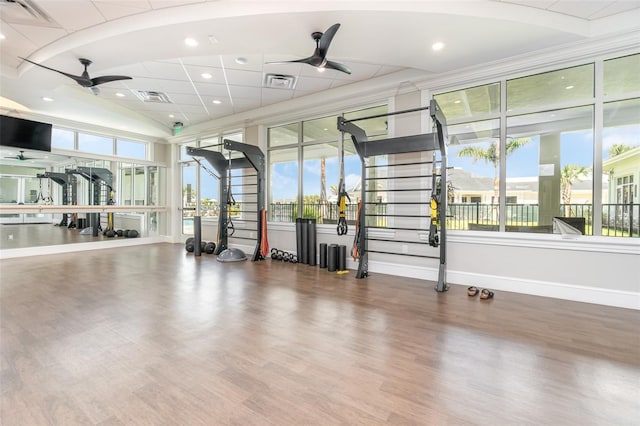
[[600, 296]]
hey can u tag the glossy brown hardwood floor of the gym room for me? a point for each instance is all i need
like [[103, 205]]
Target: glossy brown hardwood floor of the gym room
[[151, 335]]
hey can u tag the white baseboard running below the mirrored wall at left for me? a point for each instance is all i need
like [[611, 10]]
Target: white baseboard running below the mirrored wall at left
[[70, 248]]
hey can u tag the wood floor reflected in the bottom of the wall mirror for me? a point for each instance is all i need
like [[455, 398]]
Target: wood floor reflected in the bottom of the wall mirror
[[41, 234]]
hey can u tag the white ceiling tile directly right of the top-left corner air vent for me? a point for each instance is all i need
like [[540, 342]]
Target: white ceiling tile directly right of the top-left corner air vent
[[74, 15]]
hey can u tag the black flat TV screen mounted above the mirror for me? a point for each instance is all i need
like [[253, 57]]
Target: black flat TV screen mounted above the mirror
[[25, 134]]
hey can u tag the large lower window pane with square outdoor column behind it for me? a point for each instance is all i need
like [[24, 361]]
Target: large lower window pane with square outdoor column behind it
[[549, 163]]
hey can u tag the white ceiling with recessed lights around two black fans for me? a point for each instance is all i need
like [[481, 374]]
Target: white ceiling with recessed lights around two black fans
[[144, 39]]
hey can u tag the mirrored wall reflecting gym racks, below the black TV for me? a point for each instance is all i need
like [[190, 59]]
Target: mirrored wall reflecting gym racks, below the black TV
[[82, 182]]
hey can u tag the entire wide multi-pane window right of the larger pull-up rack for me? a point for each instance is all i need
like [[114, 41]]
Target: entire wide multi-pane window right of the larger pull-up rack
[[547, 150]]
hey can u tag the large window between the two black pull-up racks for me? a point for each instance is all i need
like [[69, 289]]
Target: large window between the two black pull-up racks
[[304, 167]]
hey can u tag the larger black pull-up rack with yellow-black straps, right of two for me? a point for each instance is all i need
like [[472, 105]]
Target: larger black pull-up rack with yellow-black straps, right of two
[[416, 191]]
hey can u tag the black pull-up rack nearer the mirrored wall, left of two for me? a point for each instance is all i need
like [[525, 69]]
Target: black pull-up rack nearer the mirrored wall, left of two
[[253, 158]]
